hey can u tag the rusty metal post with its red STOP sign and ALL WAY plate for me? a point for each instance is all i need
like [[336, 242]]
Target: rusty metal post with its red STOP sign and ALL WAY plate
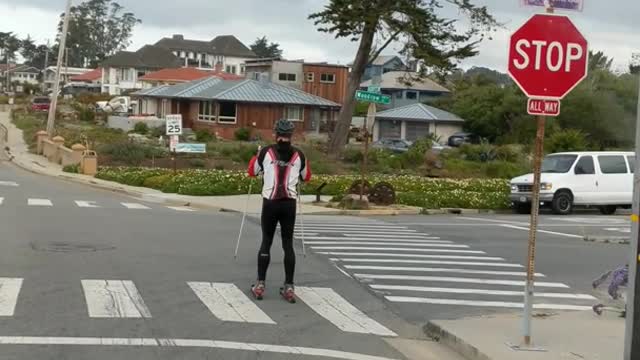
[[548, 57]]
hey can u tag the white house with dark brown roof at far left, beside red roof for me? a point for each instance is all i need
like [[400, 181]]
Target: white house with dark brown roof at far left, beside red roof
[[121, 72]]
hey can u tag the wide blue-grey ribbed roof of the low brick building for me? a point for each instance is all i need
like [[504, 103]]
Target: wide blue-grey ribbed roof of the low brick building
[[215, 88]]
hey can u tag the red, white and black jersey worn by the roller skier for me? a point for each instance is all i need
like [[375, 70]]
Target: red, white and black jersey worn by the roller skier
[[281, 178]]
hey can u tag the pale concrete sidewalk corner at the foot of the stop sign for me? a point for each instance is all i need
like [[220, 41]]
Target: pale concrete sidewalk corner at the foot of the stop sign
[[564, 336]]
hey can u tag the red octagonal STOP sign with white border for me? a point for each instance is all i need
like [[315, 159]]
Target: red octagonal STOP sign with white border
[[548, 57]]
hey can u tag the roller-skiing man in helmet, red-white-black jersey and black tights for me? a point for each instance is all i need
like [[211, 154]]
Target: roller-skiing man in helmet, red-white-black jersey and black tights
[[282, 166]]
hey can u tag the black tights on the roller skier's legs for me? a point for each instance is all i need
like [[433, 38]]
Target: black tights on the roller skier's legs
[[274, 212]]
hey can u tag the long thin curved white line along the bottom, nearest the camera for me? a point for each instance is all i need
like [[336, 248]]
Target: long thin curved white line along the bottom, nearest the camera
[[186, 343]]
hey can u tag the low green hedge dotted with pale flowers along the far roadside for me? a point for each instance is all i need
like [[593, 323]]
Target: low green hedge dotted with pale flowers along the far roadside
[[412, 190]]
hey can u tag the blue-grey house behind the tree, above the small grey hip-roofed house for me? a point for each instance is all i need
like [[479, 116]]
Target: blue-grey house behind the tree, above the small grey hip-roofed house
[[405, 89]]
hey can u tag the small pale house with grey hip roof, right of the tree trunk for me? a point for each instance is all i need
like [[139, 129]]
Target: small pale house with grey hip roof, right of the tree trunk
[[416, 121]]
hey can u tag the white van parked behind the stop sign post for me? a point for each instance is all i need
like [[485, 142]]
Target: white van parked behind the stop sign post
[[599, 179]]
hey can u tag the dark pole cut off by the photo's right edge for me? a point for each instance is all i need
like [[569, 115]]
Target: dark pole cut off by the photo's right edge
[[632, 335]]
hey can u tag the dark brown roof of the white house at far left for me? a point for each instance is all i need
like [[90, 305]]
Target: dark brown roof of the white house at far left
[[149, 56]]
